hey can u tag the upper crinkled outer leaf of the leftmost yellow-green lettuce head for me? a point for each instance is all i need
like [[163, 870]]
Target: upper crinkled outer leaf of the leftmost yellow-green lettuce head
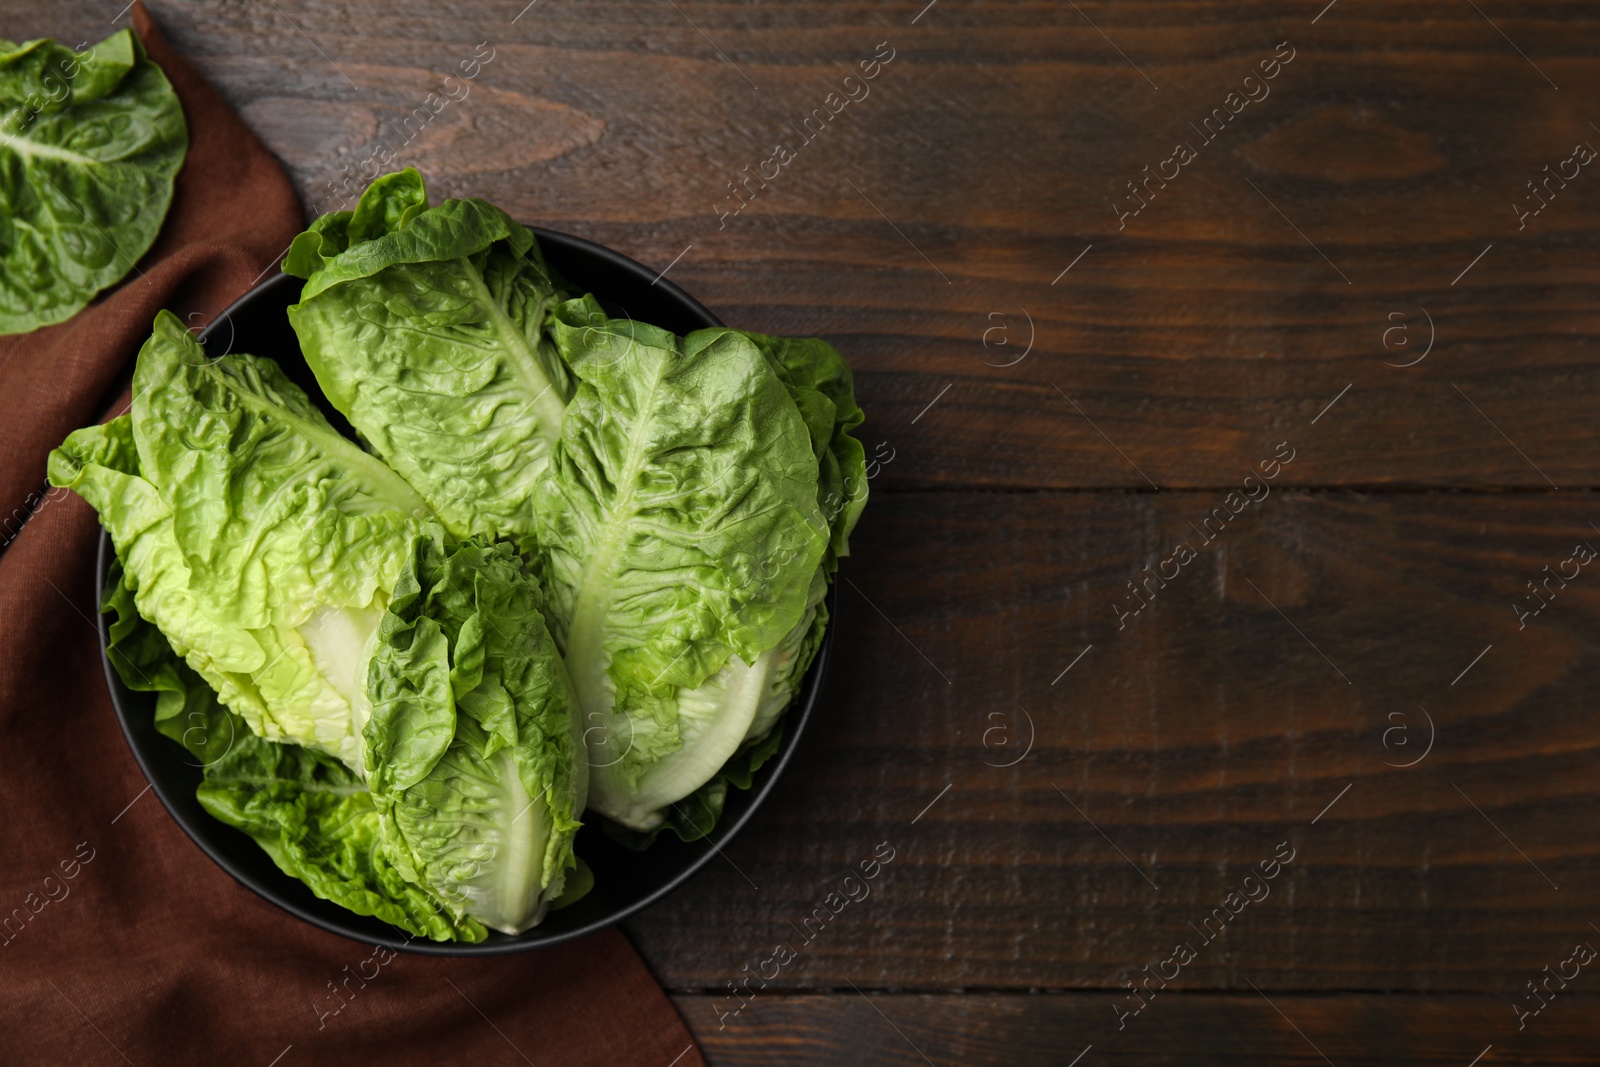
[[271, 505]]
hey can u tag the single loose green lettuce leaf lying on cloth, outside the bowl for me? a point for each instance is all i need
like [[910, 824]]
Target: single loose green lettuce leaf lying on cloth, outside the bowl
[[90, 145]]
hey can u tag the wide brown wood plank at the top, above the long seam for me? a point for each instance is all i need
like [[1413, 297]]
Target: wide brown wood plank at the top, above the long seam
[[942, 210]]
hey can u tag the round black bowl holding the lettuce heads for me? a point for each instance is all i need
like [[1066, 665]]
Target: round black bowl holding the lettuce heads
[[625, 881]]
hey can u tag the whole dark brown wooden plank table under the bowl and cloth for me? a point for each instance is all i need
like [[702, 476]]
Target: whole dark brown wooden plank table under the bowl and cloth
[[1081, 764]]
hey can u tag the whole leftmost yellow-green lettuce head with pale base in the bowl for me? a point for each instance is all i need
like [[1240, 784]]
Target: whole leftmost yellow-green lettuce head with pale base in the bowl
[[287, 538]]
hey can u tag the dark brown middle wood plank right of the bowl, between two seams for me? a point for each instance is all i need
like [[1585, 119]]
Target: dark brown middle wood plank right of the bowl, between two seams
[[1249, 705]]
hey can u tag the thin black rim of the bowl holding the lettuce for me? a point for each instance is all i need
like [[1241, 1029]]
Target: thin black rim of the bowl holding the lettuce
[[794, 719]]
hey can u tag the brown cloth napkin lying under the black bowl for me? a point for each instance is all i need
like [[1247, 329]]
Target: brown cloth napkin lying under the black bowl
[[119, 940]]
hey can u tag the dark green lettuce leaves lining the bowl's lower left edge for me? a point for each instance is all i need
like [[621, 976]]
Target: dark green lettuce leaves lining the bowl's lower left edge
[[310, 813]]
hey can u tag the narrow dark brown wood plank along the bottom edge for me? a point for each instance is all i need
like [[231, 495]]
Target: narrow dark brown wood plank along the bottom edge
[[1010, 1031]]
